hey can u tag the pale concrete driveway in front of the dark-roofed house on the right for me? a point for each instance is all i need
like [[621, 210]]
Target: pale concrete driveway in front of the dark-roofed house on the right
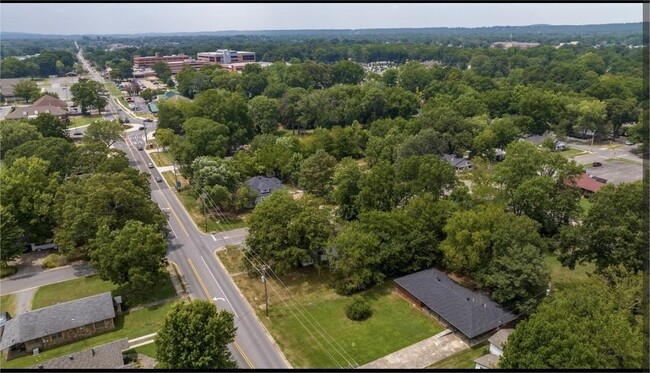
[[422, 354]]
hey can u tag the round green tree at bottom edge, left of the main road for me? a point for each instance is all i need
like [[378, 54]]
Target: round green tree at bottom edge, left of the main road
[[196, 335]]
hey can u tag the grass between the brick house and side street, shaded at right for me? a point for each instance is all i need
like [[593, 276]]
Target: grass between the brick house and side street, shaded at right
[[91, 285]]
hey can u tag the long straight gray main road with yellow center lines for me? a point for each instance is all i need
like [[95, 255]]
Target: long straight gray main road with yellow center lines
[[193, 252]]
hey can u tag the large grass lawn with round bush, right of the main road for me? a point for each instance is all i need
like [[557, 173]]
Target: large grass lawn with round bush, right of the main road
[[394, 324]]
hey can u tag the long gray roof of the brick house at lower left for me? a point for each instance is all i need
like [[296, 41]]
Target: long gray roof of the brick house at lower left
[[64, 316]]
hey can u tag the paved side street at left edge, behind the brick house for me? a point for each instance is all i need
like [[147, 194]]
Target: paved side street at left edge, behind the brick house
[[35, 279]]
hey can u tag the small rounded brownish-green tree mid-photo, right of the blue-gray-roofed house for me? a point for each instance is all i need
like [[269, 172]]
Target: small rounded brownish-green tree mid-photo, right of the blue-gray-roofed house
[[316, 173]]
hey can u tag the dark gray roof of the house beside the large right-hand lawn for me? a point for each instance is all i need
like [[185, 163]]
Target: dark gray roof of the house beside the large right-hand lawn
[[470, 312]]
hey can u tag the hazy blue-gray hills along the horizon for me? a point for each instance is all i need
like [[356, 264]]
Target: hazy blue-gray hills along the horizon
[[618, 28]]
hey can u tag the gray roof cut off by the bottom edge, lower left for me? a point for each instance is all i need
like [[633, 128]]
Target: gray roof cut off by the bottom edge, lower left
[[107, 356]]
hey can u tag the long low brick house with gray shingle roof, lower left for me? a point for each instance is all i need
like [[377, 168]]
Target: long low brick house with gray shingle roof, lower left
[[59, 324]]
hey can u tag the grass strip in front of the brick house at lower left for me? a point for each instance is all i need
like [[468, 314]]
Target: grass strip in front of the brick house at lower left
[[132, 325]]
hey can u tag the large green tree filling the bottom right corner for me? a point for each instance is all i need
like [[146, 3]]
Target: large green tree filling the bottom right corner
[[582, 326]]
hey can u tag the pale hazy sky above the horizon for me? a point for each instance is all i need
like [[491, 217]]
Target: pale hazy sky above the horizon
[[116, 18]]
